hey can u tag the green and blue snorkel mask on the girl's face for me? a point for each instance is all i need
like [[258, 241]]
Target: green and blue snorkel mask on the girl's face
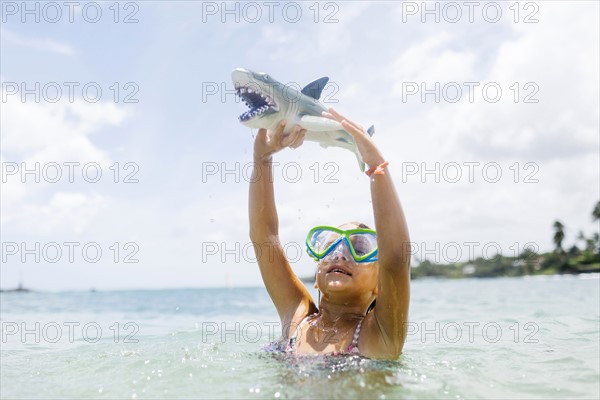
[[328, 243]]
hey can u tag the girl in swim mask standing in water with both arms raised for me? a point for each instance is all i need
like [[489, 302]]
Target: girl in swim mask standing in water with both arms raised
[[363, 275]]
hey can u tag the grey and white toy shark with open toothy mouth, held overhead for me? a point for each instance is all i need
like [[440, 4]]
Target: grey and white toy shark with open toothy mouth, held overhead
[[270, 101]]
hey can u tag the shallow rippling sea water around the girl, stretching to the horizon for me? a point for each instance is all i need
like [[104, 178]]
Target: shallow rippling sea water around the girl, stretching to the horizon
[[494, 338]]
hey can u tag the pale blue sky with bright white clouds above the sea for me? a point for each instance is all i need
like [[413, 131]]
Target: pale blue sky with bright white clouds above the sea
[[124, 165]]
